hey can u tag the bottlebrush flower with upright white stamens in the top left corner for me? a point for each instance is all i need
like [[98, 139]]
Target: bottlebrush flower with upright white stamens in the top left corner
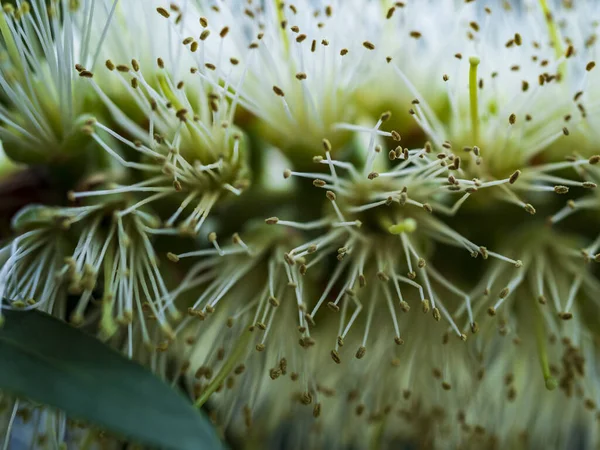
[[45, 100]]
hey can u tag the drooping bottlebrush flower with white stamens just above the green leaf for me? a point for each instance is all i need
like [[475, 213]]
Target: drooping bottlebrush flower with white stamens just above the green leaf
[[66, 251]]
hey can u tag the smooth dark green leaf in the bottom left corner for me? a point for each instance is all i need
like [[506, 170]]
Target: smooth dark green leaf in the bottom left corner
[[48, 361]]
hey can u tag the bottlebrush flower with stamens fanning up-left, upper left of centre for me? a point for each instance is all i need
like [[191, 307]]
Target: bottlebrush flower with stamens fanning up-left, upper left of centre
[[186, 146]]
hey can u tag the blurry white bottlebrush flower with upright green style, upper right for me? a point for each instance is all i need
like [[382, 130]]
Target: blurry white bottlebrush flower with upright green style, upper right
[[501, 77]]
